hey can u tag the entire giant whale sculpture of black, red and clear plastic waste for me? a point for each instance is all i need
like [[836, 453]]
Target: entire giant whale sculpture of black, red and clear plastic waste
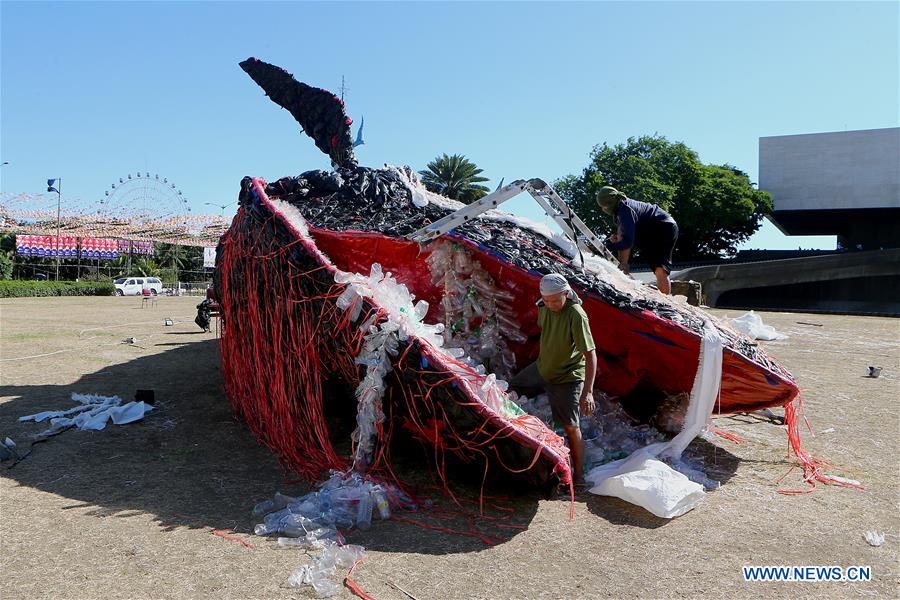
[[329, 307]]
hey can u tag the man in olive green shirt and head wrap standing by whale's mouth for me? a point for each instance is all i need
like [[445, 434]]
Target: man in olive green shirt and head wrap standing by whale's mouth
[[566, 365]]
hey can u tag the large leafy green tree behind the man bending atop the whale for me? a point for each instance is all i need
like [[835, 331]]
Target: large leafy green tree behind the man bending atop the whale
[[716, 206]]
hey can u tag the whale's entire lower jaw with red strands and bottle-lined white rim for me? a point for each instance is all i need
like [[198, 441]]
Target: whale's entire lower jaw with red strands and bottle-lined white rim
[[295, 319]]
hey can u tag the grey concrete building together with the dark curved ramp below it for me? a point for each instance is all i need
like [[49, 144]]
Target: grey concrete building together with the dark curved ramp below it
[[845, 184]]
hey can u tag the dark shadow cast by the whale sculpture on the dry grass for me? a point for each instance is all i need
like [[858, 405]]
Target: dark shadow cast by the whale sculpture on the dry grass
[[191, 464]]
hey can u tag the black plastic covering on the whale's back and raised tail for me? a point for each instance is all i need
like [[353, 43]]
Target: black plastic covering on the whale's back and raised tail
[[378, 200]]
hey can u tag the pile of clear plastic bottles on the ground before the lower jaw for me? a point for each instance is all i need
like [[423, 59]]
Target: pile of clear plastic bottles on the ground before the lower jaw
[[314, 522]]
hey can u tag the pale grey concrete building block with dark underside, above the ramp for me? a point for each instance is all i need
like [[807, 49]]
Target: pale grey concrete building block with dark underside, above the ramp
[[843, 183]]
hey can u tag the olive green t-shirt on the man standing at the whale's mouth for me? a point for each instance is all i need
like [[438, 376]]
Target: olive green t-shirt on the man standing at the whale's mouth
[[565, 337]]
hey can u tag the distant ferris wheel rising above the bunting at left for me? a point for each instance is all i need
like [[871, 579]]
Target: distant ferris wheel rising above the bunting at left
[[142, 199]]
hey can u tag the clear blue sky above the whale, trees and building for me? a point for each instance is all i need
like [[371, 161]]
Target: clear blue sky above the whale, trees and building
[[91, 92]]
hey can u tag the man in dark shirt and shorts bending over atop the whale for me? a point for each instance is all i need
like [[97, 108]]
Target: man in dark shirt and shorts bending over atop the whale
[[644, 225]]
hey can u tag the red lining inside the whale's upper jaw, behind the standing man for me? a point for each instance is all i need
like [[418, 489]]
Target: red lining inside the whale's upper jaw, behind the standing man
[[633, 346]]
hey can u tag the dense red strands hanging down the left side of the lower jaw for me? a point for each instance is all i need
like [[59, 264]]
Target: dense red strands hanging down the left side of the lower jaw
[[277, 317]]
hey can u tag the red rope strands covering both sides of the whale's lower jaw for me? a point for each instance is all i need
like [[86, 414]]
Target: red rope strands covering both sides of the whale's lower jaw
[[285, 337]]
